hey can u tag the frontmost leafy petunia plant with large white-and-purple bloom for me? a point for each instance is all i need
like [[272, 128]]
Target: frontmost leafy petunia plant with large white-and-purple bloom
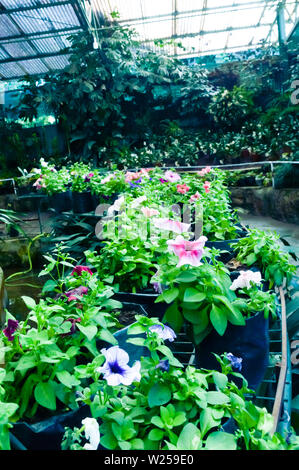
[[152, 403]]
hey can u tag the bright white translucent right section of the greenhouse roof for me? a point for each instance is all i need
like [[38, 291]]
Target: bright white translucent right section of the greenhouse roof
[[201, 27]]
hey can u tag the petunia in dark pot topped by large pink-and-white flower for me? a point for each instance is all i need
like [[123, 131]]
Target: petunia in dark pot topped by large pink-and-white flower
[[199, 295]]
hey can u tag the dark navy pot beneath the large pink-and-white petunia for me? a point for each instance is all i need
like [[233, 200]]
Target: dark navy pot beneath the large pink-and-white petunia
[[249, 342]]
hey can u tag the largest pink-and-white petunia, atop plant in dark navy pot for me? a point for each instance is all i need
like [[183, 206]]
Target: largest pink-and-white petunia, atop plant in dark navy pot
[[188, 252]]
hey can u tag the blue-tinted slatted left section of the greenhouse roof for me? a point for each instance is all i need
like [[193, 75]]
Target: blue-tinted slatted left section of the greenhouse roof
[[33, 35]]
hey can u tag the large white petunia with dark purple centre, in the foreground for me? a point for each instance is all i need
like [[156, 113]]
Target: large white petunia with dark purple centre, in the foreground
[[116, 370]]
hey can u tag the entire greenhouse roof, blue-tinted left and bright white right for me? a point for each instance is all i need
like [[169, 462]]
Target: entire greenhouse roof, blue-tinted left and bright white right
[[34, 33]]
